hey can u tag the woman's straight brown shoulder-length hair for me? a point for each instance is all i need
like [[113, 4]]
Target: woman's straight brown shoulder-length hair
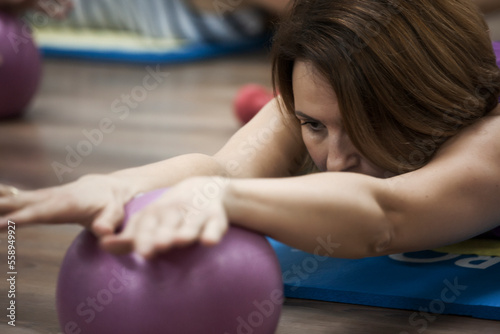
[[408, 74]]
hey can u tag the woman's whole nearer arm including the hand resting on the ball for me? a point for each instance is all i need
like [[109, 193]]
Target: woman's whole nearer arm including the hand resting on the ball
[[451, 199]]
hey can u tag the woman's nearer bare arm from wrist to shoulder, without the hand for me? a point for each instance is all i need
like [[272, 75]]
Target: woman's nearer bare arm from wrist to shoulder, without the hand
[[453, 198]]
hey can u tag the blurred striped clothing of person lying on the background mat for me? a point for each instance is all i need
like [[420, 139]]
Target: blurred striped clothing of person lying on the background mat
[[189, 21]]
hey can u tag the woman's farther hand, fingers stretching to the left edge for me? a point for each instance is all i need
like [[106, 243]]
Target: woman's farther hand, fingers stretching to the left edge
[[94, 201]]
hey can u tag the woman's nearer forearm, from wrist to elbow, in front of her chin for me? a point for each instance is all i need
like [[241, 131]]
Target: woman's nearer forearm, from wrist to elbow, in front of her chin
[[309, 211]]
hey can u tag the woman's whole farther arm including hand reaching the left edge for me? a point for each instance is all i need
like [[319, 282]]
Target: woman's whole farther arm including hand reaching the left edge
[[265, 147]]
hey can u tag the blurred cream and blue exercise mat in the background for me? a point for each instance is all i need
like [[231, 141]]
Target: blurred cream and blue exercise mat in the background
[[119, 46]]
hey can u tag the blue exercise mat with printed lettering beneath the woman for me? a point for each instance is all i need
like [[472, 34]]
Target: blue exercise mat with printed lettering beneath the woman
[[428, 282]]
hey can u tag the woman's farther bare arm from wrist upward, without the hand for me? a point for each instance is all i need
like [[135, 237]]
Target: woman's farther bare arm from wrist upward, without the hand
[[268, 146]]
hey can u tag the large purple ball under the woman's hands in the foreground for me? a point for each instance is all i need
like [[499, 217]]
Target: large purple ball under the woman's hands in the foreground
[[231, 288]]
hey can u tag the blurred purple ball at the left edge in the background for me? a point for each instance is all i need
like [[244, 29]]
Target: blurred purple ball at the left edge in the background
[[20, 66]]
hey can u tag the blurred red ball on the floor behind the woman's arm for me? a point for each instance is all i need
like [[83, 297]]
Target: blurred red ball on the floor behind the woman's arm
[[250, 99]]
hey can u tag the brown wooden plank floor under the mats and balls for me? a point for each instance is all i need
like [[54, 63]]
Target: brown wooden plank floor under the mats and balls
[[189, 112]]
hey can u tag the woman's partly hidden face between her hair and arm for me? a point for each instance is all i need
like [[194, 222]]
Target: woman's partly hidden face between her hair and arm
[[317, 109]]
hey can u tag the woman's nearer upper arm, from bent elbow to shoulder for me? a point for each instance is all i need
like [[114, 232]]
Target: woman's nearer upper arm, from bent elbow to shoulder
[[456, 194]]
